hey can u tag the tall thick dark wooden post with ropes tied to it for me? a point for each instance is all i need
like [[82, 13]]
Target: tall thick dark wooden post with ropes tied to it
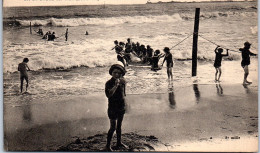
[[195, 42]]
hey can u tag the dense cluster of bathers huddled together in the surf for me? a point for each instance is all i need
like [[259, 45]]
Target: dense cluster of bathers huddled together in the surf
[[145, 53]]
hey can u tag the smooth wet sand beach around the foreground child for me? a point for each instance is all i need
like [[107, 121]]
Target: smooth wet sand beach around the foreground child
[[208, 117]]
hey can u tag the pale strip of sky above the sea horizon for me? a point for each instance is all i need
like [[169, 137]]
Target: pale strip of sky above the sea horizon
[[10, 3]]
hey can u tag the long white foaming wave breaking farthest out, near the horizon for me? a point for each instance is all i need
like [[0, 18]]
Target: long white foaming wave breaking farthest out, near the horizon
[[83, 21]]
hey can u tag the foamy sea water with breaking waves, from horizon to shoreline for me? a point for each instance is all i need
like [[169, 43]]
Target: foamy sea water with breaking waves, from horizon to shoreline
[[80, 65]]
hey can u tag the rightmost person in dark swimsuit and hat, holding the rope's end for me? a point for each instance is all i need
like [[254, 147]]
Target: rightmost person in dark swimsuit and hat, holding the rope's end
[[246, 60]]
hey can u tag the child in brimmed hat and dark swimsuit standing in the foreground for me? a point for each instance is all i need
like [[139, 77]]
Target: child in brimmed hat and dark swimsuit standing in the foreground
[[115, 92]]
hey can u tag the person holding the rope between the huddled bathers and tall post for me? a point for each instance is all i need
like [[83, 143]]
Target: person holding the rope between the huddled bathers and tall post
[[169, 62]]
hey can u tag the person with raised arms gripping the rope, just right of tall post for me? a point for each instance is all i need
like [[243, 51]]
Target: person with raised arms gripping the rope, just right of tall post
[[217, 63]]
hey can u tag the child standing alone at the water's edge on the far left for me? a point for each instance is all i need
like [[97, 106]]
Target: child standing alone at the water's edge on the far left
[[23, 67]]
